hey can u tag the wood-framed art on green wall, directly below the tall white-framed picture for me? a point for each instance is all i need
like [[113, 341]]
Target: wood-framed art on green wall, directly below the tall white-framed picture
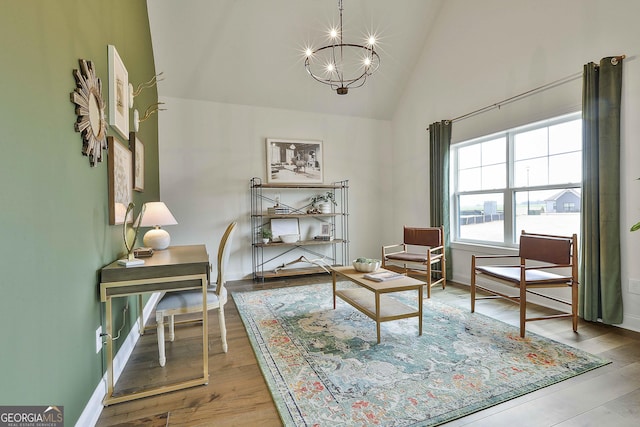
[[120, 181]]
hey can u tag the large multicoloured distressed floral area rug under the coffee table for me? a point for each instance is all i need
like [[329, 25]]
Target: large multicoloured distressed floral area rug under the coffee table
[[324, 368]]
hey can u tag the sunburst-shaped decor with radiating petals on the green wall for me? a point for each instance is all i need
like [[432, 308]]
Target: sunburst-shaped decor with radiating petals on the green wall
[[90, 111]]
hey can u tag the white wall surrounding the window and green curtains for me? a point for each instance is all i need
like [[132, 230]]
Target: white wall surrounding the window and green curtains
[[482, 52]]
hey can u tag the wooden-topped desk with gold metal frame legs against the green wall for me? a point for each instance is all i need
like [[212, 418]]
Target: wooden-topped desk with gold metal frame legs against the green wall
[[175, 268]]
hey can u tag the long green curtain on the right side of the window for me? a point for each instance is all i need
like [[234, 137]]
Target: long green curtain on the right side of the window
[[599, 275]]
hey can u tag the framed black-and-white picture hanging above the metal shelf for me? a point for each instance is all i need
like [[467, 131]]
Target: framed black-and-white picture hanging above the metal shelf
[[294, 161]]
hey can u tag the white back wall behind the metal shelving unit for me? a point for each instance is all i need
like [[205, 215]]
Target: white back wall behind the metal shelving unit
[[210, 151]]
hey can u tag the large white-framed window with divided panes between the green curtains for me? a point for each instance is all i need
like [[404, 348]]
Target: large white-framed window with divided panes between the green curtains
[[526, 178]]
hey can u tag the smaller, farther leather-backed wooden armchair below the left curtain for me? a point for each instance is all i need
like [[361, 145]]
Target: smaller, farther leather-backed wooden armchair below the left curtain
[[422, 249]]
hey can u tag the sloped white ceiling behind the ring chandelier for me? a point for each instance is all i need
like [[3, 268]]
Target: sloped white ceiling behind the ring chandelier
[[250, 51]]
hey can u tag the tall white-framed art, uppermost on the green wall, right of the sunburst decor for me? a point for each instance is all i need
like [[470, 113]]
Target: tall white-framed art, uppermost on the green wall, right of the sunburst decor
[[118, 93]]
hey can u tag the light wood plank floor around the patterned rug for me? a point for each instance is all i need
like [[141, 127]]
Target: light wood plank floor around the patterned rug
[[237, 394]]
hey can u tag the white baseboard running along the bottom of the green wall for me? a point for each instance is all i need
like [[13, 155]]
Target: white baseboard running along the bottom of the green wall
[[93, 409]]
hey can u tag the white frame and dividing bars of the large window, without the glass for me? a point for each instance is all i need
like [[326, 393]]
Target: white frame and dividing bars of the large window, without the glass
[[510, 234]]
